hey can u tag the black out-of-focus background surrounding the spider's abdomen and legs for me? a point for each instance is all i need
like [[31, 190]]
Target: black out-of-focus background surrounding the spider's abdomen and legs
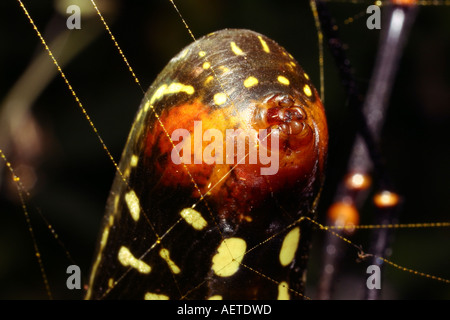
[[74, 174]]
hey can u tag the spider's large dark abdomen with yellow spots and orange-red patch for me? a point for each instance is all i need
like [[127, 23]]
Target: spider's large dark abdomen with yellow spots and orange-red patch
[[225, 156]]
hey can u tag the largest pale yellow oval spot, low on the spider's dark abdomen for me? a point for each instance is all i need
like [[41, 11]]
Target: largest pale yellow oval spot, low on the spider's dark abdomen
[[229, 255]]
